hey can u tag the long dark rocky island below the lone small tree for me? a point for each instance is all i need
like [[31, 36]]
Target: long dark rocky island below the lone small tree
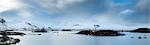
[[100, 33]]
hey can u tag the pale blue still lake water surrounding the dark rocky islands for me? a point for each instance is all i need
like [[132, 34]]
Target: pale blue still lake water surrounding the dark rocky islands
[[70, 38]]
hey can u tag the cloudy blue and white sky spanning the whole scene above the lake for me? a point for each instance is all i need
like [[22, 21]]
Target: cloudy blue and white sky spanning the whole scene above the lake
[[109, 14]]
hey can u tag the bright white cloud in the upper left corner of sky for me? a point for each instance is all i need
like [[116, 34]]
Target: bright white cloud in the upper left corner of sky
[[7, 5]]
